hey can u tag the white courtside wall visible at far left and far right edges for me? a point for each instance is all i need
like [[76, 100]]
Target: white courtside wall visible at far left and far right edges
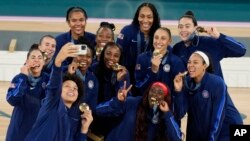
[[236, 70]]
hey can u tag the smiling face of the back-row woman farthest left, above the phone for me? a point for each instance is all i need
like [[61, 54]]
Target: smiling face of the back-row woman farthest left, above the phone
[[77, 24]]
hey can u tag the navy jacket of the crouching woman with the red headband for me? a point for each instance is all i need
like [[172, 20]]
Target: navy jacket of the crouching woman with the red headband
[[125, 130]]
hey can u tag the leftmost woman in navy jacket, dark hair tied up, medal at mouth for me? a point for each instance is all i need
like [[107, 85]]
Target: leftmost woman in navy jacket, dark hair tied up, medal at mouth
[[25, 94]]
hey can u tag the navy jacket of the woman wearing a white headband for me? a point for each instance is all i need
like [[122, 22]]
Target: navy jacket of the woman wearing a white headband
[[210, 110]]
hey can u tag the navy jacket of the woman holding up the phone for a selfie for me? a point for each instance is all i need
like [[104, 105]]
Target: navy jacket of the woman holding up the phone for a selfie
[[56, 122]]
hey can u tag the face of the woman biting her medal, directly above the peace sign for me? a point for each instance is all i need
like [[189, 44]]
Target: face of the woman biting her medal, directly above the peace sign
[[111, 56]]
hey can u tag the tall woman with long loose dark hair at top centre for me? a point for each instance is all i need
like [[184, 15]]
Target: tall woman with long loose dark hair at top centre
[[137, 37]]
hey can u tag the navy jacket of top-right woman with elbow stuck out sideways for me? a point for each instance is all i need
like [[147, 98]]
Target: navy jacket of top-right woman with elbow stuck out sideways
[[218, 49]]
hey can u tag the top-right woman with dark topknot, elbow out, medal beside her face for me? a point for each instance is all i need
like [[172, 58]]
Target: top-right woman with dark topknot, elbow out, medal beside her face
[[218, 45]]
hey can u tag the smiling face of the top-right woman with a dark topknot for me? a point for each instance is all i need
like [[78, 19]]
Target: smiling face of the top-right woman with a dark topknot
[[186, 28]]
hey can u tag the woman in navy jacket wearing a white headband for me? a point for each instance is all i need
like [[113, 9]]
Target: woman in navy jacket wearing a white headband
[[205, 98]]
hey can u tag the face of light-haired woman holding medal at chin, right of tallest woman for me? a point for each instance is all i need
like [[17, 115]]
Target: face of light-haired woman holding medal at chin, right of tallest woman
[[162, 40]]
